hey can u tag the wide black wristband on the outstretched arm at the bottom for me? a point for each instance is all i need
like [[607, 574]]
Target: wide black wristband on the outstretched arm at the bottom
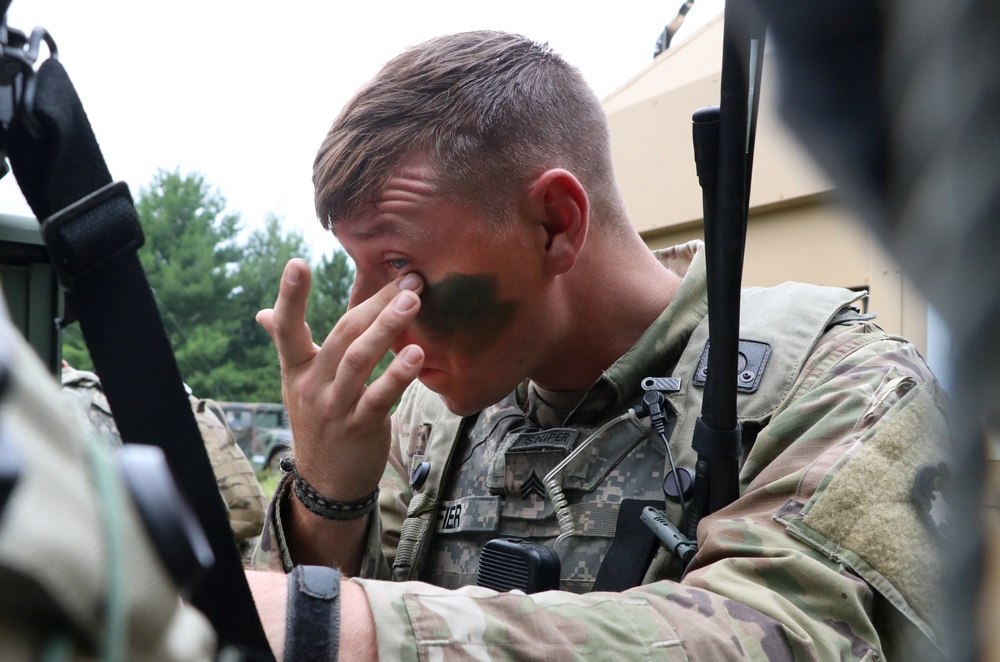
[[312, 624]]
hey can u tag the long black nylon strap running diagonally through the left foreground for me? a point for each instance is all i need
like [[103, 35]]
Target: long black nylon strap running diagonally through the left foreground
[[108, 290]]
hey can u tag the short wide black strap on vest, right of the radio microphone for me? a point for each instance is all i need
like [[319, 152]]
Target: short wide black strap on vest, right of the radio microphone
[[632, 551]]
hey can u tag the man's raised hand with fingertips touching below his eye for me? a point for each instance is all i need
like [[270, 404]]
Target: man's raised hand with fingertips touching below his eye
[[341, 425]]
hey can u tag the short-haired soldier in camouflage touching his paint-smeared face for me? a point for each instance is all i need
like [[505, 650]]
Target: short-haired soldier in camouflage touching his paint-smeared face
[[471, 182]]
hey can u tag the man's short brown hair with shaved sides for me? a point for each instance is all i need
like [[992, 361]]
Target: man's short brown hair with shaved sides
[[492, 110]]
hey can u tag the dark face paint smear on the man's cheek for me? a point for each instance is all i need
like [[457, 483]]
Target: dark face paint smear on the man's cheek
[[464, 311]]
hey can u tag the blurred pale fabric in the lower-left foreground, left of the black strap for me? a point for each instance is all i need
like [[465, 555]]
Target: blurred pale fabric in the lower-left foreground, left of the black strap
[[79, 578]]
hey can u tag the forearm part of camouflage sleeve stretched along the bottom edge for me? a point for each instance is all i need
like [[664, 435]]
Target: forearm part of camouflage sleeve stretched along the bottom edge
[[665, 620]]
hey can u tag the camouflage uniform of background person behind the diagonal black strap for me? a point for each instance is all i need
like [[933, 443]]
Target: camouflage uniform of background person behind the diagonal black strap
[[238, 484]]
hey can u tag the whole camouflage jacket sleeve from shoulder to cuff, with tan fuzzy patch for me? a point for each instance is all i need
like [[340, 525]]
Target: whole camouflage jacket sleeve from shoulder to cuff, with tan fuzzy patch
[[823, 549]]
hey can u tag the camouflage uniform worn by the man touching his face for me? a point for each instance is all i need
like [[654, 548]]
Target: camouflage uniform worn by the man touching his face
[[824, 556]]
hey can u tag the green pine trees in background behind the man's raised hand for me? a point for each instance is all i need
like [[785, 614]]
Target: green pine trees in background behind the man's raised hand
[[209, 281]]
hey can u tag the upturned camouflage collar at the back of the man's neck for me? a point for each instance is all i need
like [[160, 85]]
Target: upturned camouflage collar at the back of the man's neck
[[659, 348]]
